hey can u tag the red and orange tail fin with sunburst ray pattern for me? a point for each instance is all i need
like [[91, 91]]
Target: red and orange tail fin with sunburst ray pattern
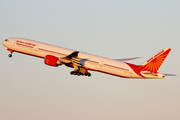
[[154, 63]]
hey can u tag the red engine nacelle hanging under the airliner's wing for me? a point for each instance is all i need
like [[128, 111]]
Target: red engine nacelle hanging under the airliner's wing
[[52, 61]]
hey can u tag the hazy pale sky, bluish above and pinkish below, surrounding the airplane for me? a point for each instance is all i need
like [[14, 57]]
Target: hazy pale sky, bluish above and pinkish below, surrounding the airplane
[[111, 28]]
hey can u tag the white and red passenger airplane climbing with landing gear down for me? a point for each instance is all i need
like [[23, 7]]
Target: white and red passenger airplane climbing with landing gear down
[[83, 62]]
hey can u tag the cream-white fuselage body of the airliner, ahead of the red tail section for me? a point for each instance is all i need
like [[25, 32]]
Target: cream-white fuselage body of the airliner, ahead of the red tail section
[[91, 62]]
